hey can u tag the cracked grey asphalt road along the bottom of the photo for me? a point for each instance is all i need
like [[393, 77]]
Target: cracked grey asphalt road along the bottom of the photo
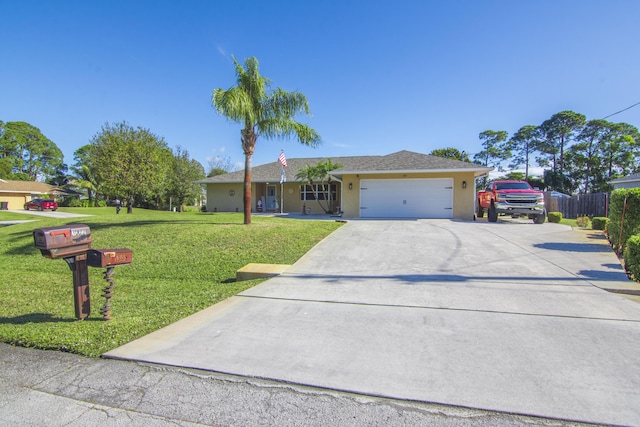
[[46, 388]]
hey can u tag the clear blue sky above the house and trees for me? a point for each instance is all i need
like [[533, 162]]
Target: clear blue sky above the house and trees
[[380, 76]]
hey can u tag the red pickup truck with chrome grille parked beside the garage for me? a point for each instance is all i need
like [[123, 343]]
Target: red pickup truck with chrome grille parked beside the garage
[[514, 198]]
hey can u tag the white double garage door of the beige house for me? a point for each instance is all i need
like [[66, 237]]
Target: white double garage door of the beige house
[[406, 198]]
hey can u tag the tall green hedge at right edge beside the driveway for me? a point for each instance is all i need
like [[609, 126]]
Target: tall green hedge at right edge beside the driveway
[[631, 223]]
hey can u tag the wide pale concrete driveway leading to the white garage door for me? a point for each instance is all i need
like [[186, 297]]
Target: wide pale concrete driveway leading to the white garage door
[[509, 316]]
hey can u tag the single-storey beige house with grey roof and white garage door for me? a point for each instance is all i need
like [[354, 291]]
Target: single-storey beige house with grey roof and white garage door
[[399, 185]]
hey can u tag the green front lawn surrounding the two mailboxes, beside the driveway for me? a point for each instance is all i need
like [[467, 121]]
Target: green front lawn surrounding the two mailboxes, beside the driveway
[[182, 263]]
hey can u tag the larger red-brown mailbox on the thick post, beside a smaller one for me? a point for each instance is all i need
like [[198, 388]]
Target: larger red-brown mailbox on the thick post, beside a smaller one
[[62, 242]]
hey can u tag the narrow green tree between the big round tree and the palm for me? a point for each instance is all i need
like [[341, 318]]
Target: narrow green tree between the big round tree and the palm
[[182, 176]]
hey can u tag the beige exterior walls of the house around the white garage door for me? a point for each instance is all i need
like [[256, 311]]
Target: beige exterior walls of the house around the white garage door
[[218, 198]]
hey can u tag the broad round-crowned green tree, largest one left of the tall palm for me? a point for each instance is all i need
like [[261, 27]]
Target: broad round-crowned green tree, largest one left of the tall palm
[[130, 162]]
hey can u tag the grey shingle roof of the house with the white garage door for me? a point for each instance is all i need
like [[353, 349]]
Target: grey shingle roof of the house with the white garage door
[[399, 162]]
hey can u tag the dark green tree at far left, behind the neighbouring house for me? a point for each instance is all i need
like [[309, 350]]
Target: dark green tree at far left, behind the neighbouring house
[[29, 153]]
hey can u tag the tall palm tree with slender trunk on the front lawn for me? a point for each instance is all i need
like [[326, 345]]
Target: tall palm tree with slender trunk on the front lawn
[[262, 113]]
